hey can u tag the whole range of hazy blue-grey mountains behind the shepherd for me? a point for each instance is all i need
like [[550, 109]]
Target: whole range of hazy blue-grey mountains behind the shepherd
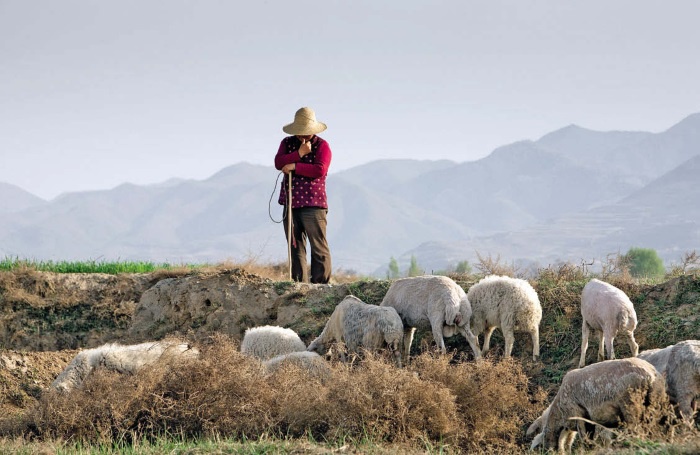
[[573, 195]]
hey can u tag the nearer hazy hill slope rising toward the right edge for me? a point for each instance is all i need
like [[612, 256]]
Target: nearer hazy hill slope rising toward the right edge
[[664, 215]]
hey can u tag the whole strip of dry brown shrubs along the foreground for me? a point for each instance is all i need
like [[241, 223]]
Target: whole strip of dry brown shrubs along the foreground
[[470, 406]]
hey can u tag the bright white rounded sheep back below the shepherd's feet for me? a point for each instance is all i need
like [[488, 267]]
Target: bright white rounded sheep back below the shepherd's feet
[[268, 341]]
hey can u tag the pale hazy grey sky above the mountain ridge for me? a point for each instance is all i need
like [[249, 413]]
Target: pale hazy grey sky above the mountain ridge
[[97, 93]]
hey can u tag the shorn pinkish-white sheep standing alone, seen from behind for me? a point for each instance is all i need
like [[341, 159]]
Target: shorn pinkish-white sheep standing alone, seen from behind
[[609, 311]]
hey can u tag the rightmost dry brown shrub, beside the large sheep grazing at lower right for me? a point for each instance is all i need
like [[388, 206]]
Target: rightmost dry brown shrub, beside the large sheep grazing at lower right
[[491, 397]]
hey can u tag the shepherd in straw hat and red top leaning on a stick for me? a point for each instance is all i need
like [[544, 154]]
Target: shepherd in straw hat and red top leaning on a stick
[[305, 157]]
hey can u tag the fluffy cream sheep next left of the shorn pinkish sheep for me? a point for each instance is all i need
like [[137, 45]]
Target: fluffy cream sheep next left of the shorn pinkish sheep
[[510, 304]]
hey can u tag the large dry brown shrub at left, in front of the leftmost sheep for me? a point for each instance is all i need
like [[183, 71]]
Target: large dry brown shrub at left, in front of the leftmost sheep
[[221, 390]]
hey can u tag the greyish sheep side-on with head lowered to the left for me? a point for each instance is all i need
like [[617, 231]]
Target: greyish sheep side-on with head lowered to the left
[[358, 324]]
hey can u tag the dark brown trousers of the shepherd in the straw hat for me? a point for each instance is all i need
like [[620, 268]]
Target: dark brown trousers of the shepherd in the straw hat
[[309, 223]]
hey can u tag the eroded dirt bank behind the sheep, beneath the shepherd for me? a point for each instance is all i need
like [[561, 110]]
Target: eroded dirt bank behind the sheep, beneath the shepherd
[[46, 318]]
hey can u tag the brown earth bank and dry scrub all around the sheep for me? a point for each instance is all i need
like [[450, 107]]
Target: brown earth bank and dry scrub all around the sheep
[[448, 401]]
